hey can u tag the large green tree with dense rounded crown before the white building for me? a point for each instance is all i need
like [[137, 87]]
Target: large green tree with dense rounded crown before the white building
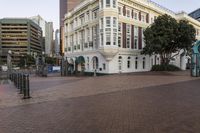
[[167, 36]]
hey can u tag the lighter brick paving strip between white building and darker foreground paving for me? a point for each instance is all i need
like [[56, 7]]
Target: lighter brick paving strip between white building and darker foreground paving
[[53, 88]]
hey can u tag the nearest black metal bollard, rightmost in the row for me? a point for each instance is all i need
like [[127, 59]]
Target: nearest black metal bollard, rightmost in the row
[[26, 87]]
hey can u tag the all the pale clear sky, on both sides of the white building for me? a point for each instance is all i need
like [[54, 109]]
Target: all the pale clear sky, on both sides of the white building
[[49, 9]]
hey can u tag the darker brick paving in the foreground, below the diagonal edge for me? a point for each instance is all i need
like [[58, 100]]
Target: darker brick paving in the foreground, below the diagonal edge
[[172, 108]]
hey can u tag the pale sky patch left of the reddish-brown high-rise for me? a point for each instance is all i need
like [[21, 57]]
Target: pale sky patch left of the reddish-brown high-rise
[[47, 9]]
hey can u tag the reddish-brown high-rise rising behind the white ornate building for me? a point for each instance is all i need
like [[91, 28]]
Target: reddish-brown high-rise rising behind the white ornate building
[[65, 6]]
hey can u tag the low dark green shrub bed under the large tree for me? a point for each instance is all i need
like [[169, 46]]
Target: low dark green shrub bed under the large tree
[[165, 68]]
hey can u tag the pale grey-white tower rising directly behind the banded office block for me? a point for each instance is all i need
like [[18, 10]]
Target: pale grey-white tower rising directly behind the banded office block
[[47, 29]]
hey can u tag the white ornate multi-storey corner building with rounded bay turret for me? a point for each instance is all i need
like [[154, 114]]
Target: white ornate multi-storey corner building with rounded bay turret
[[107, 35]]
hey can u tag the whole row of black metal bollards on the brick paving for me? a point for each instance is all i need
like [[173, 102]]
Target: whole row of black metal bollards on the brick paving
[[21, 82]]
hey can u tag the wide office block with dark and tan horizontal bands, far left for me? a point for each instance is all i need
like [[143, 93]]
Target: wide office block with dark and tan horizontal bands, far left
[[20, 35]]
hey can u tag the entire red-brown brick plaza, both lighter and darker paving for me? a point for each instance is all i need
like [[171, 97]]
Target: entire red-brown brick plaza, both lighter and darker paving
[[132, 103]]
